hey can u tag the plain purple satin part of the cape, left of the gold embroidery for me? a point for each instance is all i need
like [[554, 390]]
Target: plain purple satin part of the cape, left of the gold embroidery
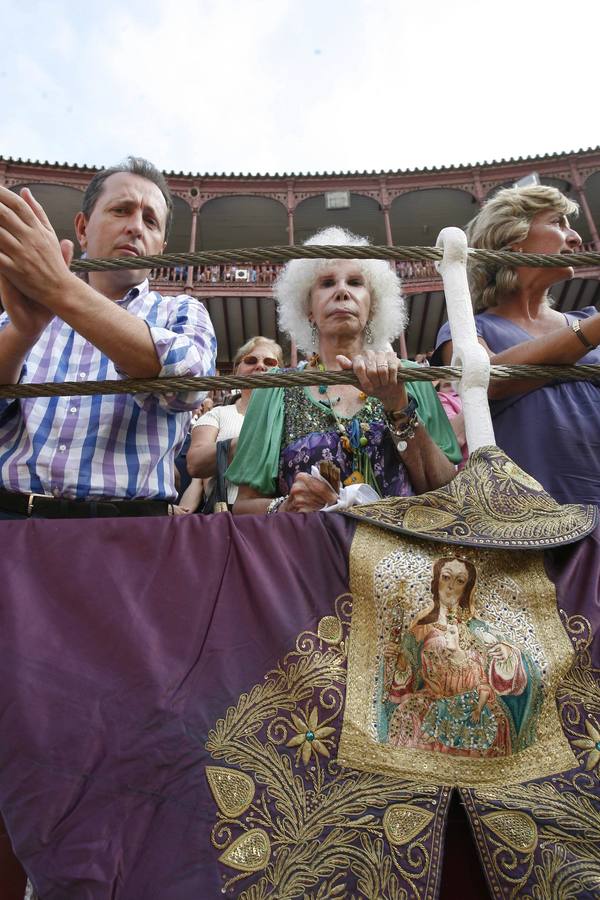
[[120, 646]]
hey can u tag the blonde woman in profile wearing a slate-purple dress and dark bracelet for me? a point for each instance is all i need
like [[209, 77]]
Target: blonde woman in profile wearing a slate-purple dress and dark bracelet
[[552, 428]]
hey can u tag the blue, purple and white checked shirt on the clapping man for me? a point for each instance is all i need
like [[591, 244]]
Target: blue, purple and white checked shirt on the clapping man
[[117, 447]]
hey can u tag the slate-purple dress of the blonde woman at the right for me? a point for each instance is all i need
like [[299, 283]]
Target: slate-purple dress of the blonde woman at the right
[[553, 432]]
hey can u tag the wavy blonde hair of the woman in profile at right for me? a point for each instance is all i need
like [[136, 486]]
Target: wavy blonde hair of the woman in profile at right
[[502, 222]]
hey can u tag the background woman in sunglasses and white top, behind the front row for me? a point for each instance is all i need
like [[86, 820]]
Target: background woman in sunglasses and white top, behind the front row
[[259, 354]]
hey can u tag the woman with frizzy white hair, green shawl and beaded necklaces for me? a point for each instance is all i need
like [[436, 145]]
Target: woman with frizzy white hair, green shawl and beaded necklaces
[[395, 438]]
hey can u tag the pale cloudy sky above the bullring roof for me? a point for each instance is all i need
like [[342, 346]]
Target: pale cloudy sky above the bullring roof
[[297, 85]]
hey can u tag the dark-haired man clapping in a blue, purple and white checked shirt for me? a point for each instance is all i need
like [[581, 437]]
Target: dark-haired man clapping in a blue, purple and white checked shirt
[[94, 455]]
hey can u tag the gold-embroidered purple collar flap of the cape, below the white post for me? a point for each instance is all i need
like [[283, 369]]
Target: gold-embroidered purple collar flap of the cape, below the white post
[[490, 503]]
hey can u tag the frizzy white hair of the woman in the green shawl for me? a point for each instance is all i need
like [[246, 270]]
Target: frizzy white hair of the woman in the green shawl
[[293, 286]]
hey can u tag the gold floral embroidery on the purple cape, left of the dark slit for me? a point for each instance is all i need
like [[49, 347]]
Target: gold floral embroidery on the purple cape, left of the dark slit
[[324, 824]]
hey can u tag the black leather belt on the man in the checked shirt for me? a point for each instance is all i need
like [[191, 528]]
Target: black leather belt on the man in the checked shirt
[[46, 507]]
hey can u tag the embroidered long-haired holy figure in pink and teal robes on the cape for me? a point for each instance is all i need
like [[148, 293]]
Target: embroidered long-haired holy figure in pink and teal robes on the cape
[[450, 683]]
